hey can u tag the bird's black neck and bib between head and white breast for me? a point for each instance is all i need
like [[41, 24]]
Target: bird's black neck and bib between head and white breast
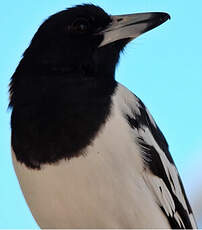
[[56, 117]]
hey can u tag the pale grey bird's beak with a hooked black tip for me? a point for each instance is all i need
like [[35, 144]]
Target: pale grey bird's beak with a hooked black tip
[[131, 26]]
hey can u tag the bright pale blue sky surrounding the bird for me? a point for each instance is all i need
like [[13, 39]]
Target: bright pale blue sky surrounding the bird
[[163, 67]]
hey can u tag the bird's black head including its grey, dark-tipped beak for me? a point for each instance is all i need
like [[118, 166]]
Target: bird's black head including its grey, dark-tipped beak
[[85, 39]]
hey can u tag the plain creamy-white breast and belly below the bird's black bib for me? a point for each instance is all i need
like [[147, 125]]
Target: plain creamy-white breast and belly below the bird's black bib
[[102, 189]]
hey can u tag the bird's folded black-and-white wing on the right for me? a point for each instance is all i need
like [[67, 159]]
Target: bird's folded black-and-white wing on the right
[[160, 175]]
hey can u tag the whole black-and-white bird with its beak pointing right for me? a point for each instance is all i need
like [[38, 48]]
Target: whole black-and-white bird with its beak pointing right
[[86, 151]]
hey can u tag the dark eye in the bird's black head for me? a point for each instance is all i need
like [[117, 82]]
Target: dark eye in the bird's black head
[[80, 25]]
